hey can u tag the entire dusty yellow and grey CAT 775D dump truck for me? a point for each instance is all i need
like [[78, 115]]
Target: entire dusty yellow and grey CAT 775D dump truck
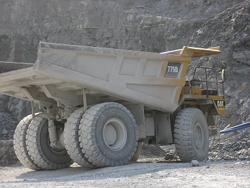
[[100, 104]]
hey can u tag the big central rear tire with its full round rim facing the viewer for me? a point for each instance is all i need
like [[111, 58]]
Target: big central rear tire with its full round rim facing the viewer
[[108, 135]]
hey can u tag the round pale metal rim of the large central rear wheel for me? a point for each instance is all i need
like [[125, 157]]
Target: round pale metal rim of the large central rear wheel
[[114, 134]]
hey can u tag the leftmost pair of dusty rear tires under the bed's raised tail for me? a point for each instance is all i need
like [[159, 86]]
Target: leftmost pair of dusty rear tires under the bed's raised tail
[[32, 145]]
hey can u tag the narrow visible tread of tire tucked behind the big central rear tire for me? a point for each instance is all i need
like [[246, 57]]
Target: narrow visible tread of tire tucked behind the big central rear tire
[[71, 138]]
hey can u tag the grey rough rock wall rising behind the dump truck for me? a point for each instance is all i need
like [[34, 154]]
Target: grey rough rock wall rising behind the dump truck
[[144, 25]]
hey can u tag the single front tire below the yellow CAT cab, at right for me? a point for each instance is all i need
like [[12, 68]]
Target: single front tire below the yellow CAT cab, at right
[[191, 135]]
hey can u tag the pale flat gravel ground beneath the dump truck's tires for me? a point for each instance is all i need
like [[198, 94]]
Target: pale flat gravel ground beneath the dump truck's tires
[[149, 173]]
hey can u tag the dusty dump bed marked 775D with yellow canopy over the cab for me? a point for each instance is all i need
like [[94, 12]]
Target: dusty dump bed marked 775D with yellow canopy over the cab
[[61, 72]]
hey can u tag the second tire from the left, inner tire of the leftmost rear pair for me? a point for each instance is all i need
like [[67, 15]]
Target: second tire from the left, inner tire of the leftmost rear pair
[[38, 146]]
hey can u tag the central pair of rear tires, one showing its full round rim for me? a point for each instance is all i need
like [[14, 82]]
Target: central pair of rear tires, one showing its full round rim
[[105, 135]]
